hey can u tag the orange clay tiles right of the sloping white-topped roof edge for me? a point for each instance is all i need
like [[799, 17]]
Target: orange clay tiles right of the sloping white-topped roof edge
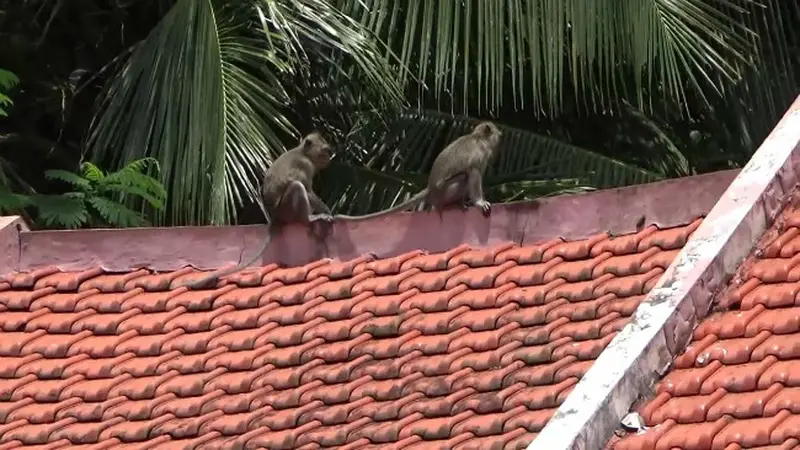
[[737, 385]]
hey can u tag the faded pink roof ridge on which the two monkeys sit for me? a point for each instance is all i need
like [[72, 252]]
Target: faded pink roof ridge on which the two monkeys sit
[[617, 211]]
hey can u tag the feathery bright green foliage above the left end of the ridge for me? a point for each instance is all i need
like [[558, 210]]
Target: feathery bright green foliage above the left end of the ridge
[[95, 198]]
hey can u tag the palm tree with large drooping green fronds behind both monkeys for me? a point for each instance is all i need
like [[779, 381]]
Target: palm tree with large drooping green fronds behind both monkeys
[[217, 88]]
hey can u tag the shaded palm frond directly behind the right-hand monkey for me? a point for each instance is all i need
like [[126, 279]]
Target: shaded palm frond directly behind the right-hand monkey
[[396, 165]]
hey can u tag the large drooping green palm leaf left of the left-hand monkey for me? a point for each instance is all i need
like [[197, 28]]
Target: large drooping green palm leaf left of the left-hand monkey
[[208, 87]]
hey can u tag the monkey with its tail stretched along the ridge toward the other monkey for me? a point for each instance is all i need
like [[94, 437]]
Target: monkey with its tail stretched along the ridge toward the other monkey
[[456, 177]]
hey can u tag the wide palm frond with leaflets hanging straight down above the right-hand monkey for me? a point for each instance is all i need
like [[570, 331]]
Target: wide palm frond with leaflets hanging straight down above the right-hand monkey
[[475, 52]]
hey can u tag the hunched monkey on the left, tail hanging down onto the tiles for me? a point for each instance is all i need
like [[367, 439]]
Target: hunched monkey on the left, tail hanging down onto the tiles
[[287, 195]]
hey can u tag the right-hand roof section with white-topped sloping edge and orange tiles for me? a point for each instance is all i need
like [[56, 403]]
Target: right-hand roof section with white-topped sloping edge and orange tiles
[[707, 274]]
